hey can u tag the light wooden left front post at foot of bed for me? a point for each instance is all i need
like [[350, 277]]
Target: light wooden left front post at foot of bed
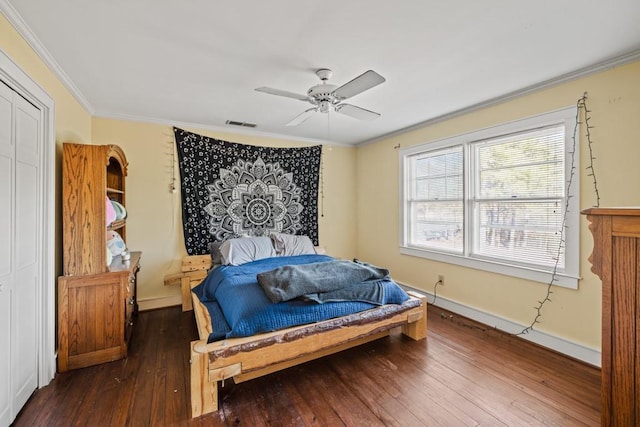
[[204, 393]]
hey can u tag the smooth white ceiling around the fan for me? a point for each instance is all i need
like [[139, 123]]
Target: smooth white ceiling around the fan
[[197, 62]]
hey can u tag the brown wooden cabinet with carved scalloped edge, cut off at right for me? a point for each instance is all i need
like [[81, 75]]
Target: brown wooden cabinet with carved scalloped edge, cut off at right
[[616, 260]]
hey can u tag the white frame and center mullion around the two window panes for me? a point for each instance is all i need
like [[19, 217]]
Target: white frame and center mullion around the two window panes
[[567, 277]]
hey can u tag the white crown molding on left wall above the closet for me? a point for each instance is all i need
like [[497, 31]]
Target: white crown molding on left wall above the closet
[[23, 29]]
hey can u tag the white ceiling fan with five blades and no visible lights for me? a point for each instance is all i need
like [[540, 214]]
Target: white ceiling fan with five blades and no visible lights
[[326, 97]]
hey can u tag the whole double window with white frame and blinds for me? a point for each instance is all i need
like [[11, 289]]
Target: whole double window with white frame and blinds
[[495, 199]]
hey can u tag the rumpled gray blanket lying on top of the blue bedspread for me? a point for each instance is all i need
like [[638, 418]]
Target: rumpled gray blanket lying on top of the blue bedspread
[[292, 281]]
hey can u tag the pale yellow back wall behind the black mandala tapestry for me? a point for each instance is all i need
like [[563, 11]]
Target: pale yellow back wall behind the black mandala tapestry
[[154, 224]]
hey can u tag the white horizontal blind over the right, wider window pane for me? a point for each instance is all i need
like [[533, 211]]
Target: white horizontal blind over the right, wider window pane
[[518, 197]]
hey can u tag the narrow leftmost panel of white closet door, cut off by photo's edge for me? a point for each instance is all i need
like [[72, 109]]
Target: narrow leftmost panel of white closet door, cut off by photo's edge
[[7, 154]]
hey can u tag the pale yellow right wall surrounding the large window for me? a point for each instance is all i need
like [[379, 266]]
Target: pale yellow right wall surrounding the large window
[[614, 101]]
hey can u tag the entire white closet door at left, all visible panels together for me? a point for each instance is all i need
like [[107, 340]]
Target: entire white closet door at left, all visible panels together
[[20, 254]]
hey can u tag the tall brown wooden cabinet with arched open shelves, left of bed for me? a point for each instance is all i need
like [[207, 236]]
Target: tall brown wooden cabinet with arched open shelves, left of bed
[[97, 301]]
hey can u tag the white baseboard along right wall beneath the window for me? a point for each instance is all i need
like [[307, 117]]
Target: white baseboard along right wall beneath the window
[[577, 351]]
